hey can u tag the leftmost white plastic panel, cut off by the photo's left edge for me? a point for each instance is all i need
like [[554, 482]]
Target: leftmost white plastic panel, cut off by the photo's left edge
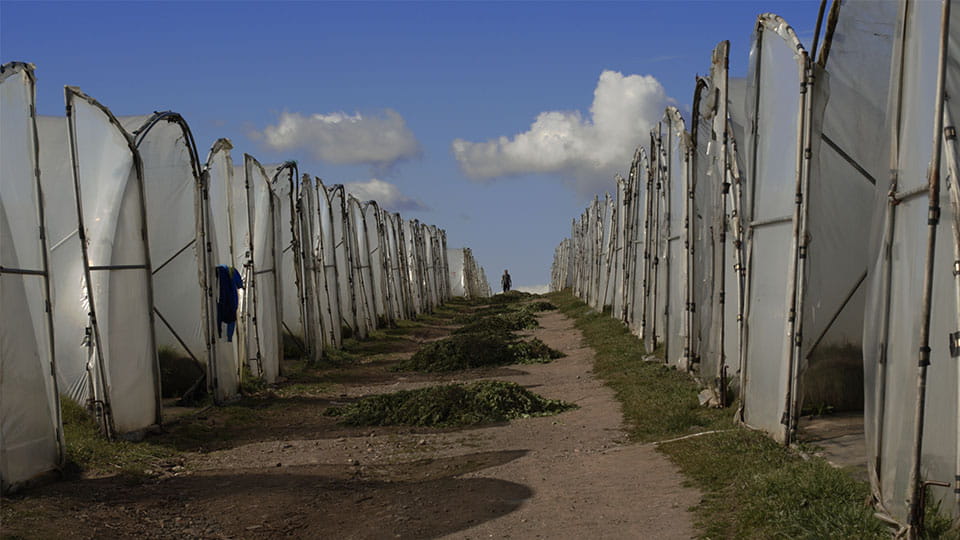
[[31, 434]]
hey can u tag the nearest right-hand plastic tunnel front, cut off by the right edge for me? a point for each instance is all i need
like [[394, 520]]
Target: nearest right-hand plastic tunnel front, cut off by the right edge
[[911, 339]]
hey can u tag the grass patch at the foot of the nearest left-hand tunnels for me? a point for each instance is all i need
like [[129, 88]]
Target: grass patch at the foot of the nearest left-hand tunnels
[[87, 451]]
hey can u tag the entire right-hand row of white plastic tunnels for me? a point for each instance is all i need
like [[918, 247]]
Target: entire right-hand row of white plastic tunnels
[[795, 239]]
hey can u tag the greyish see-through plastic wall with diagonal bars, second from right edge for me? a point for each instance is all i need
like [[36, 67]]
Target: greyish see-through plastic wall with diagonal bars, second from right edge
[[849, 154]]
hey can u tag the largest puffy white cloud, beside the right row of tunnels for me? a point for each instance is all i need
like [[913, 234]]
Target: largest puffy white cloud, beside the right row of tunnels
[[588, 150]]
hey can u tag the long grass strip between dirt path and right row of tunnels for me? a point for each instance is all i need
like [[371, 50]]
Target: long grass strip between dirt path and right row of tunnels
[[753, 487]]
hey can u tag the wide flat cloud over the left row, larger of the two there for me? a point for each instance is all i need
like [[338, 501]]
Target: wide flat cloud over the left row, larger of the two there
[[379, 140]]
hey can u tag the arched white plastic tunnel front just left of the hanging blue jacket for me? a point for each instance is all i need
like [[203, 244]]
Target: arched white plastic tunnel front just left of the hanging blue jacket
[[178, 233]]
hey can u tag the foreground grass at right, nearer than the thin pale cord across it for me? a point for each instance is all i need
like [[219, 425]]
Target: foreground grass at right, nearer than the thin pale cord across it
[[756, 488]]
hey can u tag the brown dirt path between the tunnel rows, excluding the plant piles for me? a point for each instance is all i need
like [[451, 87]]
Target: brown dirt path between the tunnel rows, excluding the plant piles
[[274, 465]]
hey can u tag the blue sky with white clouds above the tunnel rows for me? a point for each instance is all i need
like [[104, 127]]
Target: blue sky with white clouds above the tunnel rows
[[541, 98]]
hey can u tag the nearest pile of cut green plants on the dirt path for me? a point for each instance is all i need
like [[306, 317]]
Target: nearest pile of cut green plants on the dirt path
[[448, 405]]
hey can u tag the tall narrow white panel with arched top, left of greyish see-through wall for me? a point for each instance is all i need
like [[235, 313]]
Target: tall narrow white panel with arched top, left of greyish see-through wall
[[776, 106]]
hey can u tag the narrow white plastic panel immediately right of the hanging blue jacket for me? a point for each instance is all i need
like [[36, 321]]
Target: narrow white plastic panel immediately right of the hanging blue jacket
[[263, 285]]
